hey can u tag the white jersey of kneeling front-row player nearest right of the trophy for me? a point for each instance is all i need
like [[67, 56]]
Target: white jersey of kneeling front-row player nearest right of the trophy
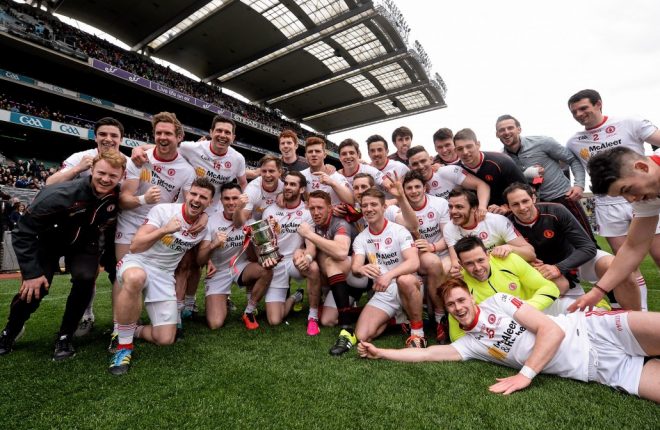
[[387, 245]]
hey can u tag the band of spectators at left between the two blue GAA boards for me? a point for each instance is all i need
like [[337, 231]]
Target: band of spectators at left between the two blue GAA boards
[[30, 107]]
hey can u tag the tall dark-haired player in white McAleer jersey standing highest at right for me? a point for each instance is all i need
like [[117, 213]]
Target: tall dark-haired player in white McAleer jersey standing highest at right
[[601, 132]]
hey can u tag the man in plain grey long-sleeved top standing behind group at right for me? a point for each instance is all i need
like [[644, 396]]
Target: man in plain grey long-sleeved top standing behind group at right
[[546, 153]]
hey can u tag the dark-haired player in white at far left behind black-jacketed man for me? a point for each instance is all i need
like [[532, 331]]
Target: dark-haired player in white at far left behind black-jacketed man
[[108, 133]]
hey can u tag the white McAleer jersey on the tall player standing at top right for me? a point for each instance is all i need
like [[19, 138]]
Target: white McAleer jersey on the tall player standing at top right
[[612, 132]]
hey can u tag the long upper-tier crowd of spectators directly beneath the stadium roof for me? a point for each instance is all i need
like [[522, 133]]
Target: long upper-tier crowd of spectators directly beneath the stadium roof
[[144, 66]]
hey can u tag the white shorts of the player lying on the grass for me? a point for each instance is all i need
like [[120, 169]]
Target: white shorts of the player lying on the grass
[[615, 357]]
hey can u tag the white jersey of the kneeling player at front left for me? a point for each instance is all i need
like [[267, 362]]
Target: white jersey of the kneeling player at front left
[[167, 252]]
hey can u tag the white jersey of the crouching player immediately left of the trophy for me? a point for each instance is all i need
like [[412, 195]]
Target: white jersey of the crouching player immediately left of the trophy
[[220, 257]]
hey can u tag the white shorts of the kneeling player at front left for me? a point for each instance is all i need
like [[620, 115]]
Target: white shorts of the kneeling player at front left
[[159, 285]]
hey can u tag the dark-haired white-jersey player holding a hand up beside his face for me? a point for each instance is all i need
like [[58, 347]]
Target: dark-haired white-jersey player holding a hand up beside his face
[[425, 217]]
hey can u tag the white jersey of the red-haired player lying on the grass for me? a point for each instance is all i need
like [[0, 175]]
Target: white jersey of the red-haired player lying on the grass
[[497, 337]]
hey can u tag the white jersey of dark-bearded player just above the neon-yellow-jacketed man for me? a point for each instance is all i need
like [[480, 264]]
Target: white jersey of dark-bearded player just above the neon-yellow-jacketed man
[[494, 230]]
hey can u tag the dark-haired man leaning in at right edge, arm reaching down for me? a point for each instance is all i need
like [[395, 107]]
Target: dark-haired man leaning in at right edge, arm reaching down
[[623, 172]]
